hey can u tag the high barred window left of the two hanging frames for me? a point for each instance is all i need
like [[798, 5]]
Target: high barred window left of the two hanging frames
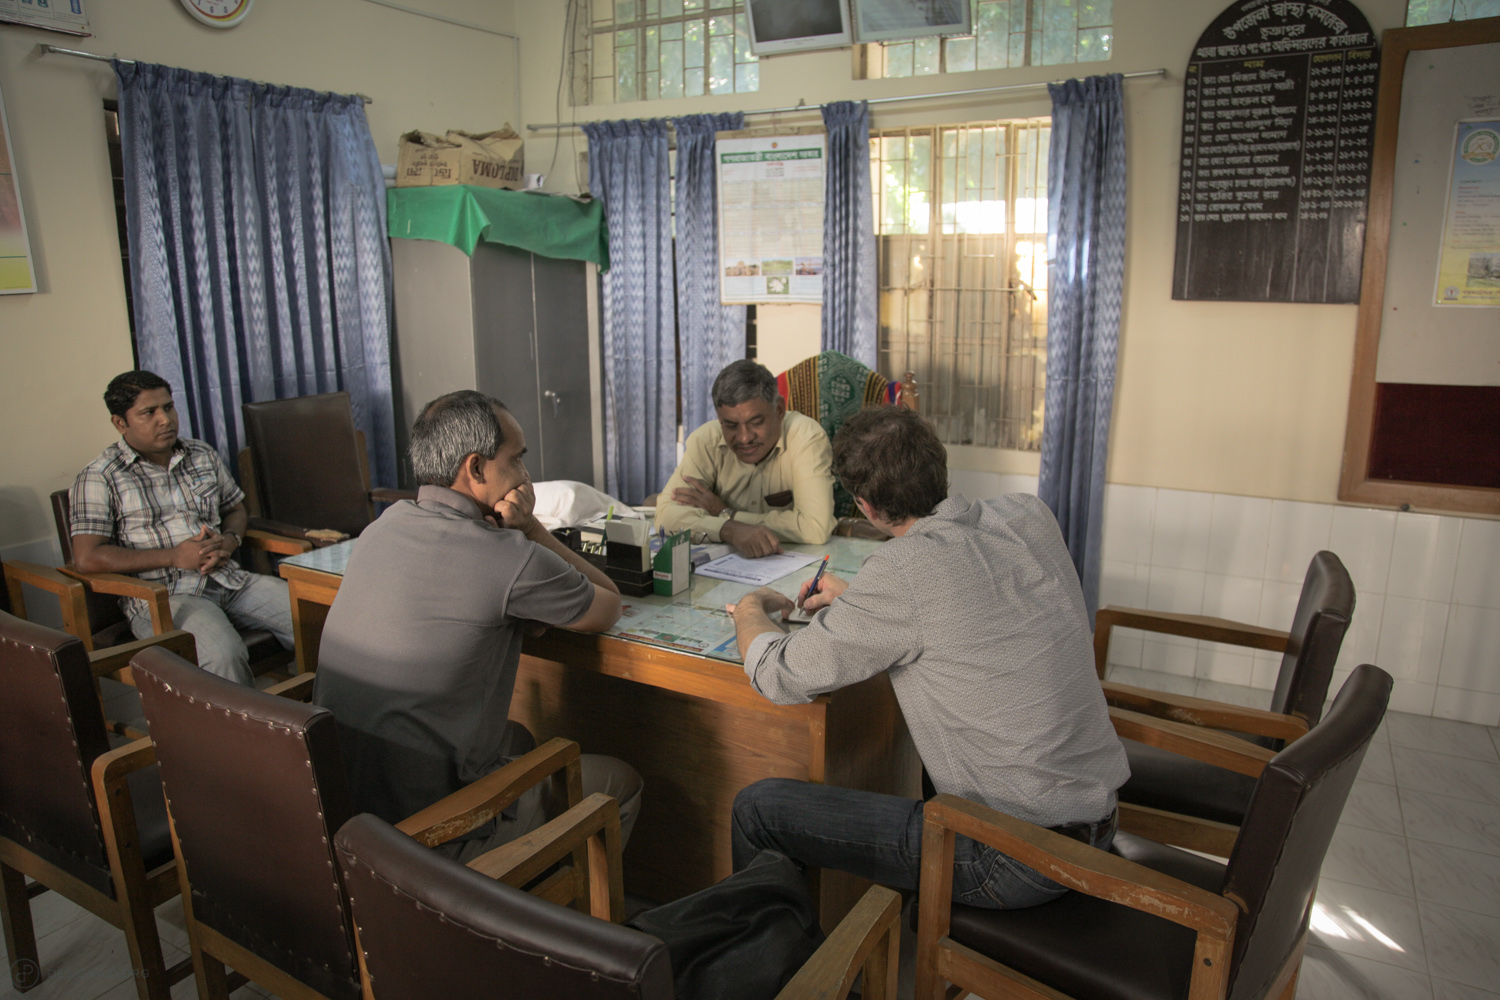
[[649, 50]]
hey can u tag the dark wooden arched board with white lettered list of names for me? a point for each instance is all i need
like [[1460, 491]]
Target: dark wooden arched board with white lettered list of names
[[1277, 130]]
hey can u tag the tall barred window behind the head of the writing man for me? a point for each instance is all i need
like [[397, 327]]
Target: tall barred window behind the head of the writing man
[[961, 215]]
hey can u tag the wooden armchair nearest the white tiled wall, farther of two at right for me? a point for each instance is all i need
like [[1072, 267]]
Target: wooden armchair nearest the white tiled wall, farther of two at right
[[1187, 801]]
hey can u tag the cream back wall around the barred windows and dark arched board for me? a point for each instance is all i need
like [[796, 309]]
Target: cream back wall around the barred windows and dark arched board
[[1228, 398]]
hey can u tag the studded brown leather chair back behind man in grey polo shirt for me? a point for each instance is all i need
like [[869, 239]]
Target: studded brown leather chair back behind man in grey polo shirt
[[256, 788]]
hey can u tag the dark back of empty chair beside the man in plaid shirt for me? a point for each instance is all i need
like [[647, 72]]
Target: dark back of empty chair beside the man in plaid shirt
[[307, 463]]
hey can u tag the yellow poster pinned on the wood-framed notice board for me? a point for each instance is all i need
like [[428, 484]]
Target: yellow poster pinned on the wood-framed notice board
[[1469, 268]]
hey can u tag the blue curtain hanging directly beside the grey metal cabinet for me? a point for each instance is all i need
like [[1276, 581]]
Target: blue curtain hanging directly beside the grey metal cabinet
[[628, 170]]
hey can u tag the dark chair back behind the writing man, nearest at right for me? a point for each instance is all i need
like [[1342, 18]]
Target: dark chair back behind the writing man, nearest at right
[[1298, 801]]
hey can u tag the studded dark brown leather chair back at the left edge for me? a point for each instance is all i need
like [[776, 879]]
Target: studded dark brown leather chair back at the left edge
[[52, 735]]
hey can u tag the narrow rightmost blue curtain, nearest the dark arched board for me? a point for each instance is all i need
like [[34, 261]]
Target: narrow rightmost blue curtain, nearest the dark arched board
[[1085, 281]]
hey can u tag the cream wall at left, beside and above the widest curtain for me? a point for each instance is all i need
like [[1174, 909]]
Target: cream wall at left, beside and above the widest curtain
[[62, 346]]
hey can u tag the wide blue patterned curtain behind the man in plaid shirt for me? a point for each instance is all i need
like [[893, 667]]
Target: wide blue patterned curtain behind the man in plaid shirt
[[260, 266]]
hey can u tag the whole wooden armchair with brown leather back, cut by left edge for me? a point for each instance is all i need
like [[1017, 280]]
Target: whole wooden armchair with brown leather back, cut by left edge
[[80, 819]]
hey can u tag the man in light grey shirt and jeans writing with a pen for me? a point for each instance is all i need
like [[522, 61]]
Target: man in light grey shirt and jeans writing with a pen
[[976, 612]]
